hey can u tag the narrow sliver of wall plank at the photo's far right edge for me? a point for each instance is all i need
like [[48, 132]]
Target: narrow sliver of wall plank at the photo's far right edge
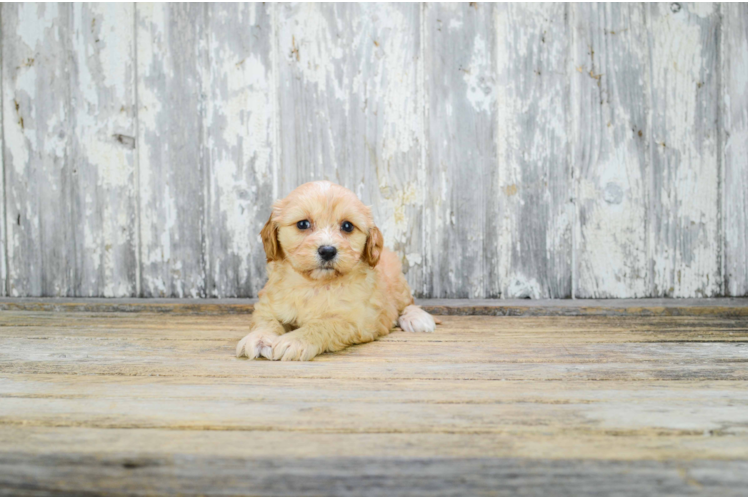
[[734, 102]]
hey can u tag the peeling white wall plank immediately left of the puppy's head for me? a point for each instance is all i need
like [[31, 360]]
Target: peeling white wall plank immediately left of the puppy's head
[[242, 146]]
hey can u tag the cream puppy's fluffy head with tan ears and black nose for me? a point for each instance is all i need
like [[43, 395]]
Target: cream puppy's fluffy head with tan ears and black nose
[[322, 230]]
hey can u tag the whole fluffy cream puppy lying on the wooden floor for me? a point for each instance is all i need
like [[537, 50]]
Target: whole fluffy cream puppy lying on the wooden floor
[[331, 283]]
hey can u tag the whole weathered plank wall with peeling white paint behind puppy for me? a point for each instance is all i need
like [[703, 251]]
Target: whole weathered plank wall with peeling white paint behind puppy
[[515, 151]]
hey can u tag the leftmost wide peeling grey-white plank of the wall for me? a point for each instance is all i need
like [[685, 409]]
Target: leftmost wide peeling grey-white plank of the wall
[[38, 156]]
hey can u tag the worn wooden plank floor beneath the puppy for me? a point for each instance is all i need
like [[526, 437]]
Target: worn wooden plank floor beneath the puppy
[[155, 403]]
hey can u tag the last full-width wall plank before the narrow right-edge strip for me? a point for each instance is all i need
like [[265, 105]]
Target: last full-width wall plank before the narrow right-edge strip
[[684, 218]]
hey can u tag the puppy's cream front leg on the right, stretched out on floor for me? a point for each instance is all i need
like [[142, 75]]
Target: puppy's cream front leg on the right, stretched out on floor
[[318, 337]]
